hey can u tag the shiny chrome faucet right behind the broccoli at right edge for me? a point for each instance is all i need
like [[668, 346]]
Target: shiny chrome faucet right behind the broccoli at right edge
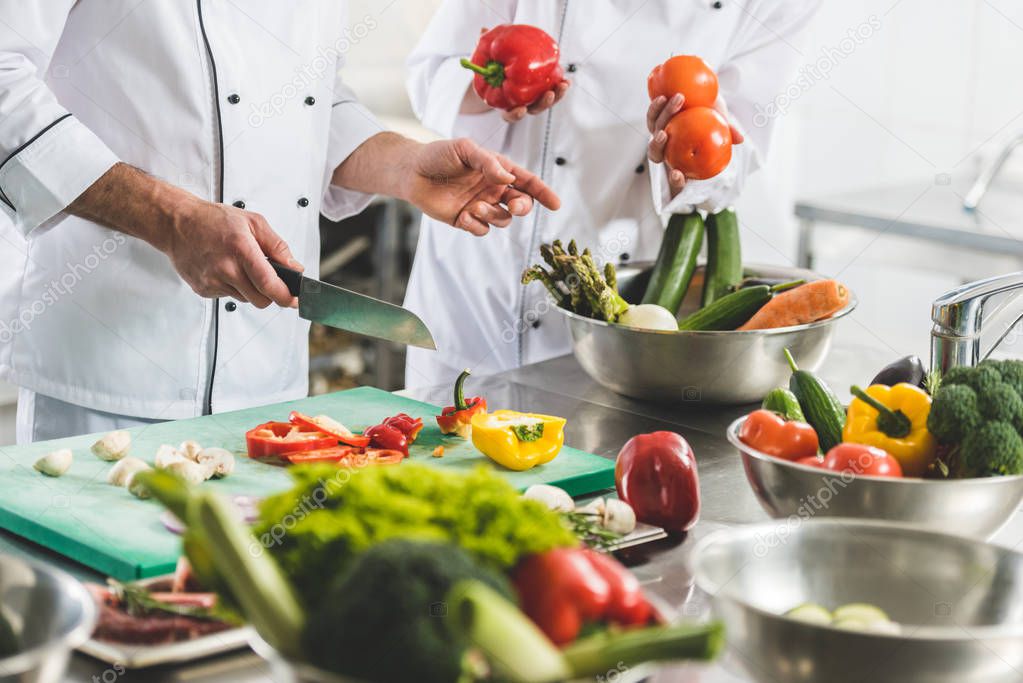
[[970, 322]]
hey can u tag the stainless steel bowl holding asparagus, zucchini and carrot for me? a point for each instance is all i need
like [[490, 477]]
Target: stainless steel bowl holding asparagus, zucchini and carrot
[[727, 368]]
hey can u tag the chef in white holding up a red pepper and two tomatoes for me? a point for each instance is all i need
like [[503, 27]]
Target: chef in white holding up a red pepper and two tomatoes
[[597, 141]]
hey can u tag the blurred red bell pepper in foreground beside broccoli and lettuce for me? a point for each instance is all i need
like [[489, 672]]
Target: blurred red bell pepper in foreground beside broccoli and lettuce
[[564, 589]]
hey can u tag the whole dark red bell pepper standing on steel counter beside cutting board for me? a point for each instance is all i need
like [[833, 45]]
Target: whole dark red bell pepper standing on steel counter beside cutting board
[[656, 474]]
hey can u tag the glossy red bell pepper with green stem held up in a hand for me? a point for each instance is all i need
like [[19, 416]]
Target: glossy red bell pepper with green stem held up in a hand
[[515, 66]]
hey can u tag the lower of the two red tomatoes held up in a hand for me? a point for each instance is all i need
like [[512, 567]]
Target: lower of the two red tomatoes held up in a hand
[[699, 143]]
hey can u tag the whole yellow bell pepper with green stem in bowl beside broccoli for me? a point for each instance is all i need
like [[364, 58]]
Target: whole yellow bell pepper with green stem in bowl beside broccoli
[[895, 420]]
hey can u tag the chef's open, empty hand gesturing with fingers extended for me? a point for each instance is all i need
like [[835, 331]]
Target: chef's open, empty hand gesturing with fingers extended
[[463, 185]]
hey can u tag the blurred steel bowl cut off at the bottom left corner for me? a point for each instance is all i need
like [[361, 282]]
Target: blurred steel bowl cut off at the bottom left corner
[[49, 615]]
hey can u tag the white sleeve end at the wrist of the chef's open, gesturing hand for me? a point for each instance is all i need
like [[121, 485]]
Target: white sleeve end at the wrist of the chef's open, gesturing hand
[[351, 125]]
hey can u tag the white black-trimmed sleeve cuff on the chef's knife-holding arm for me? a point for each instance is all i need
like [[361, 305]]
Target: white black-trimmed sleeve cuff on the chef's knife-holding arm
[[51, 171]]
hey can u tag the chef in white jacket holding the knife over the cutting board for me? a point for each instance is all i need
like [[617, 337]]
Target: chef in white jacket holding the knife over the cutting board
[[152, 157]]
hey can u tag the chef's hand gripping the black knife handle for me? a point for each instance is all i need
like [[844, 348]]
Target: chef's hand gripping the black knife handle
[[221, 251]]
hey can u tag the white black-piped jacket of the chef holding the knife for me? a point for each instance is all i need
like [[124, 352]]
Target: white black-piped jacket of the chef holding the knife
[[235, 102]]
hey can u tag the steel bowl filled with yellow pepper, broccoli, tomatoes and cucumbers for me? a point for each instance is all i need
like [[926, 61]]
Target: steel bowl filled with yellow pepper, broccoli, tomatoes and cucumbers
[[952, 463]]
